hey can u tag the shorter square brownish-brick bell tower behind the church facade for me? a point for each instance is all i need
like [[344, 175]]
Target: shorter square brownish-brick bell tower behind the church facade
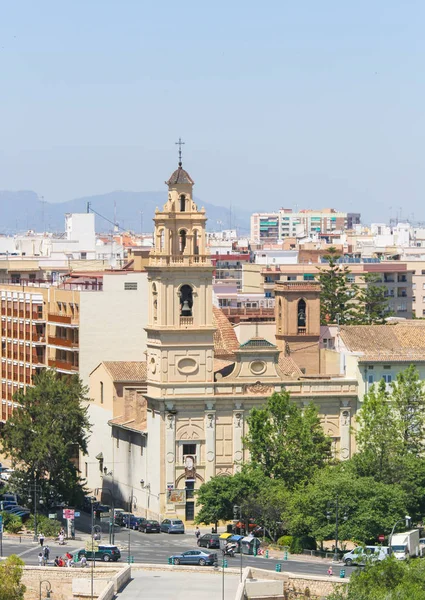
[[297, 313]]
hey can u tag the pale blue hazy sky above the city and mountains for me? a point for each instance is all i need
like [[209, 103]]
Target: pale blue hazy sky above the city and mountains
[[280, 103]]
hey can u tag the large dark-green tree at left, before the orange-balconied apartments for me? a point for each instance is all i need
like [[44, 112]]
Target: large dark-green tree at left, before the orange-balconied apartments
[[44, 434]]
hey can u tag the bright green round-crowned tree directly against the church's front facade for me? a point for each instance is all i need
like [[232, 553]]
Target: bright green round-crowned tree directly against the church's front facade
[[285, 441]]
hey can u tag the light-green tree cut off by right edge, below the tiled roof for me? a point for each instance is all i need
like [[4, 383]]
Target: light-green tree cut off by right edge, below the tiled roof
[[408, 403]]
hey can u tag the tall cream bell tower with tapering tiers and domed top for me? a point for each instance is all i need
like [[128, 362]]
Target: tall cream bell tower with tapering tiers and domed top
[[180, 345]]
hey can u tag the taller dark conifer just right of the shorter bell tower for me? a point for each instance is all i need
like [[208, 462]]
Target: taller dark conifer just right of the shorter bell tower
[[338, 295]]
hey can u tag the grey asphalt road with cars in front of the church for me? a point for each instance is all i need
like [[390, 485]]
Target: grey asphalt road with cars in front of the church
[[155, 548]]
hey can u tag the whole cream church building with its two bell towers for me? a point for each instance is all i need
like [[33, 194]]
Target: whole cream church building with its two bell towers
[[164, 426]]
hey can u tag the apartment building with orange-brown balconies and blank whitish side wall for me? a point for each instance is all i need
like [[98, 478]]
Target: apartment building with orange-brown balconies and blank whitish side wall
[[70, 326]]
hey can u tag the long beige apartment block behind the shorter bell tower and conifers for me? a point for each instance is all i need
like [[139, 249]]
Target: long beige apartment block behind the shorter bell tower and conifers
[[395, 276]]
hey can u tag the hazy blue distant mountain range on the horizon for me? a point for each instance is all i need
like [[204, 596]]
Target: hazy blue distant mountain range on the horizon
[[22, 210]]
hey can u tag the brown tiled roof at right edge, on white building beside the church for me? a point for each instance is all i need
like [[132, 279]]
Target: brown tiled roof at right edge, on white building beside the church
[[402, 341]]
